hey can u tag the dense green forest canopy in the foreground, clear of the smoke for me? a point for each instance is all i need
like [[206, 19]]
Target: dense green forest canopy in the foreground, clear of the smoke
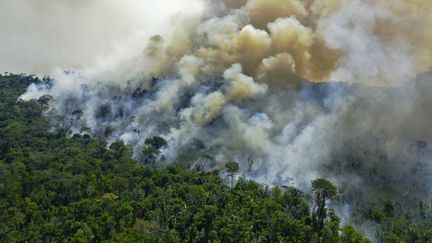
[[54, 188]]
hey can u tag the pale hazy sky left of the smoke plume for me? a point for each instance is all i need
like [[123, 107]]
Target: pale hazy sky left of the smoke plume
[[37, 36]]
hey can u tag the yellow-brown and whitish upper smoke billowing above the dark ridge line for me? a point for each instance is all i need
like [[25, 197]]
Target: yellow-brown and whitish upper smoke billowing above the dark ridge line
[[354, 41]]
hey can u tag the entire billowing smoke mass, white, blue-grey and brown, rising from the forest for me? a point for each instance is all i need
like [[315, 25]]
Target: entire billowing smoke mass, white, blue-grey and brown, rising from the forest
[[230, 81]]
